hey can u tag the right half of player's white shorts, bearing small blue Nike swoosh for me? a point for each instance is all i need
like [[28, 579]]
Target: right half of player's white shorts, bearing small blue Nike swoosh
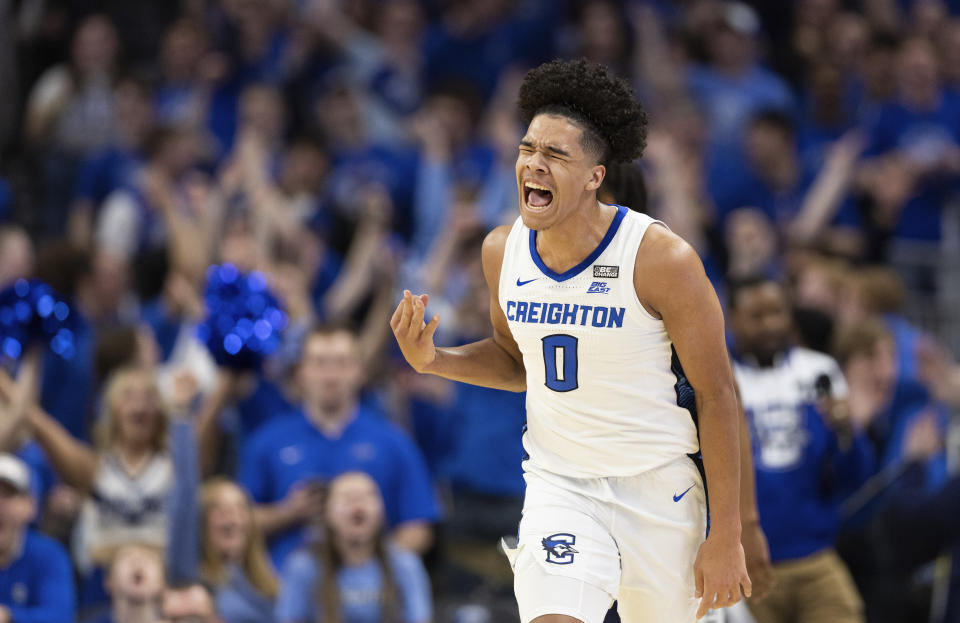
[[659, 524]]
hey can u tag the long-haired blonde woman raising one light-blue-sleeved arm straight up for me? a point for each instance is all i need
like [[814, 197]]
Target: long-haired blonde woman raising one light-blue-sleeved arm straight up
[[213, 536]]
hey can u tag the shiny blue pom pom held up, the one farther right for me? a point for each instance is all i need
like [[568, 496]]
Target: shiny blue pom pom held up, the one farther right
[[244, 319]]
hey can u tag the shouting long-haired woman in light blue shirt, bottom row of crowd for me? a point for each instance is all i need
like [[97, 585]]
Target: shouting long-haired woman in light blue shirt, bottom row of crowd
[[351, 574]]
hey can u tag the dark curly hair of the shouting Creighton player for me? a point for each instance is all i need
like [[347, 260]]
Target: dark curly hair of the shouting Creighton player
[[614, 121]]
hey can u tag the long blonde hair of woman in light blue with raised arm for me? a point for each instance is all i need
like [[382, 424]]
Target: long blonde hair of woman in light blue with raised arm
[[255, 562]]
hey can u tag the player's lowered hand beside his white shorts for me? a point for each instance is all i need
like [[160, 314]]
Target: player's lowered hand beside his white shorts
[[720, 570]]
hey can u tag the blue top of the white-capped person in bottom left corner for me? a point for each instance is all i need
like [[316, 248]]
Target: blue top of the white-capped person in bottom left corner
[[38, 586]]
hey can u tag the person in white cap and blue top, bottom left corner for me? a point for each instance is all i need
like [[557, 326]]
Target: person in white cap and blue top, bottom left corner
[[36, 581]]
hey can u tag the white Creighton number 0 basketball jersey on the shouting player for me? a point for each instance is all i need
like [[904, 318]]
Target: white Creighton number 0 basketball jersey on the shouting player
[[604, 386]]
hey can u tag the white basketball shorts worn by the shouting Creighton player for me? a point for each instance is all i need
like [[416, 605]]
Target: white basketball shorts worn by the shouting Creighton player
[[584, 543]]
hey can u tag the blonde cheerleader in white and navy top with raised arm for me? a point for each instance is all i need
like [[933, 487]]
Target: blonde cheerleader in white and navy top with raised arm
[[123, 480]]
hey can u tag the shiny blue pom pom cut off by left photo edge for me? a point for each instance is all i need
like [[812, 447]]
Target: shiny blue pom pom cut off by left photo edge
[[32, 313]]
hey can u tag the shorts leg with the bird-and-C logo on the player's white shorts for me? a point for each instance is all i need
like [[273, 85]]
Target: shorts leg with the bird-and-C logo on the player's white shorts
[[565, 562]]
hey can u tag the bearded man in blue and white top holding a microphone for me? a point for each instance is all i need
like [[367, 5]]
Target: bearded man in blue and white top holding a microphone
[[808, 457]]
